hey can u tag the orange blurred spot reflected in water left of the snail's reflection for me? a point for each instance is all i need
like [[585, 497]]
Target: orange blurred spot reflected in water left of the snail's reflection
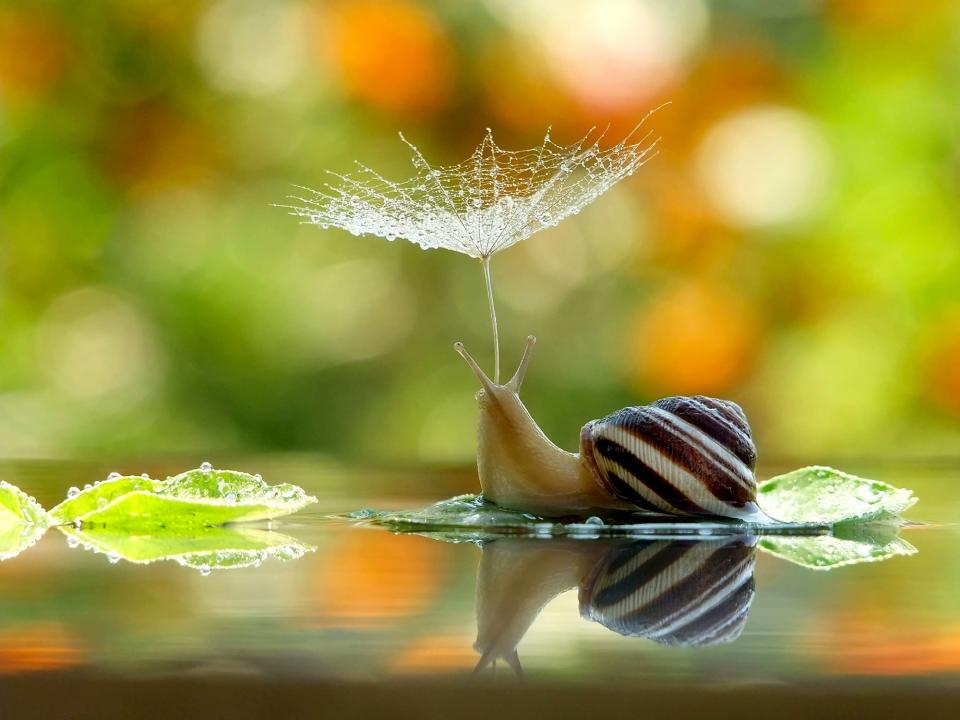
[[372, 578]]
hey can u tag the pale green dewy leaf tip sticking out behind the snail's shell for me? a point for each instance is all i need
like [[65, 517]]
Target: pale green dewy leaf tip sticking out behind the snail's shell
[[823, 495]]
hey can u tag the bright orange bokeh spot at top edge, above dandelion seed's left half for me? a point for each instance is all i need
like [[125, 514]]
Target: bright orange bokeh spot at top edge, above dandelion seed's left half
[[391, 54]]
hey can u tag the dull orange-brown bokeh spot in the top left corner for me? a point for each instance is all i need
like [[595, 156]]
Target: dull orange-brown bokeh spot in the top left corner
[[33, 53]]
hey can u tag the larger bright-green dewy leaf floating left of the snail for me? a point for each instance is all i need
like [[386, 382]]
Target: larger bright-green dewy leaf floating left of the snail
[[196, 498]]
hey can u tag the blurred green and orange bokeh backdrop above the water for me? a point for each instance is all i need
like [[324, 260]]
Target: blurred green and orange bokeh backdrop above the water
[[795, 246]]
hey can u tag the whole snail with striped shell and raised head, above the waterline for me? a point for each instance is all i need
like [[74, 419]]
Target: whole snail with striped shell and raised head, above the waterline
[[688, 456]]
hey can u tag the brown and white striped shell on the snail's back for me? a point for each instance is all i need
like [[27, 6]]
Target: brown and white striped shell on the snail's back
[[679, 455]]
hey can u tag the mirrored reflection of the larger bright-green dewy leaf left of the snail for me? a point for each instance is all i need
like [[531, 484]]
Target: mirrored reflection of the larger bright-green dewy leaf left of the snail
[[212, 548]]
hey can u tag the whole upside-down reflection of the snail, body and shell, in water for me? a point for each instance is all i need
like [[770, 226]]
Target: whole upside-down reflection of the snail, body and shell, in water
[[675, 592]]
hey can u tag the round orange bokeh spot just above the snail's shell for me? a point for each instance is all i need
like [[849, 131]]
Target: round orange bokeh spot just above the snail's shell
[[693, 339]]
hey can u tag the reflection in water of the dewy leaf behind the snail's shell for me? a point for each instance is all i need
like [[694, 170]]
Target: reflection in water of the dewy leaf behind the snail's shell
[[826, 552]]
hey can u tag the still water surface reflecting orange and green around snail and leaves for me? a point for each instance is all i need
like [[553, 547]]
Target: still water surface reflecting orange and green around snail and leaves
[[368, 606]]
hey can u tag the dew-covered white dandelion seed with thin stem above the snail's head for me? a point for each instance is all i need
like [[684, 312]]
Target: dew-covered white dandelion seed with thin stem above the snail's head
[[482, 205]]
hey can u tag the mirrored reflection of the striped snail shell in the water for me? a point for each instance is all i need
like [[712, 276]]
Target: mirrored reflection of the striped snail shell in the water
[[684, 593]]
